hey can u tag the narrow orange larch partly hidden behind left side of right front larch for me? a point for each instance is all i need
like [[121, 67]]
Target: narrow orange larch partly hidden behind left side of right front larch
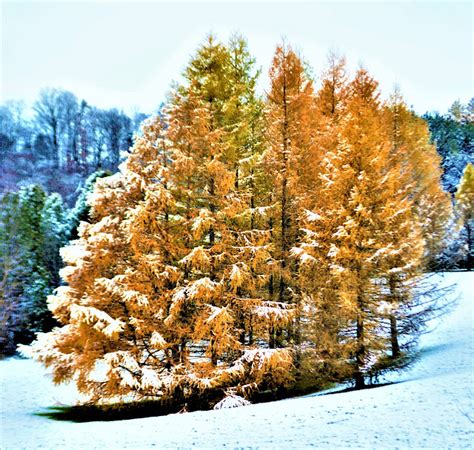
[[322, 317]]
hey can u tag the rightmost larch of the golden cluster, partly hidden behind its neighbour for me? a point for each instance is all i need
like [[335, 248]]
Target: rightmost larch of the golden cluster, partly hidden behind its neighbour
[[420, 179]]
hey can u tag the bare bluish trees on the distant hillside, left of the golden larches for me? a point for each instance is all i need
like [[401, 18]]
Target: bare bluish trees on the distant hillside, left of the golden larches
[[60, 141]]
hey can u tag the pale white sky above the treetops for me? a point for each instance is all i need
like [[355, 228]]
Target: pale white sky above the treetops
[[126, 54]]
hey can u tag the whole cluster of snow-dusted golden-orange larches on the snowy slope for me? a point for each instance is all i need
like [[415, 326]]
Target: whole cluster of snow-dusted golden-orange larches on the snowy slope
[[248, 243]]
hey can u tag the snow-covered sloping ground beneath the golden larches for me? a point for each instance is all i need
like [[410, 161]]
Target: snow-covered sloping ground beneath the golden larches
[[431, 406]]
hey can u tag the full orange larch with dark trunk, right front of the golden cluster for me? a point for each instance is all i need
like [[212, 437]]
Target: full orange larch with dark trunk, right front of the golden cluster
[[359, 232]]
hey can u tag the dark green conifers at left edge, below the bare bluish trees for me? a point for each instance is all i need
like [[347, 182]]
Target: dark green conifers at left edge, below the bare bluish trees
[[32, 230]]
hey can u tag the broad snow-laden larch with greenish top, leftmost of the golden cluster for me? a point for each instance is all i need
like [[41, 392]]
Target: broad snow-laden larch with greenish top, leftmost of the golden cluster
[[159, 282]]
